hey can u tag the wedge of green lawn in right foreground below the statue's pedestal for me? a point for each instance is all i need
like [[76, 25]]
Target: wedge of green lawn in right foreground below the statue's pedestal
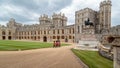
[[93, 59]]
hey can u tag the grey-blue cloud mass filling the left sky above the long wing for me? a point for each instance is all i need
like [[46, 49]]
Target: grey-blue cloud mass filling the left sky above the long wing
[[25, 11]]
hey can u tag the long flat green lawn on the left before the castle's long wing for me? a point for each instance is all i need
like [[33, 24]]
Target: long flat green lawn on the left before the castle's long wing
[[7, 45]]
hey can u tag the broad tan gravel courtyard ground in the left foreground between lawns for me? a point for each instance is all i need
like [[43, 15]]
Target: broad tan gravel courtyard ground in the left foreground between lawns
[[40, 58]]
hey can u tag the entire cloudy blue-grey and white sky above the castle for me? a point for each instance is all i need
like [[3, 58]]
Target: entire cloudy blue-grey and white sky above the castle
[[29, 11]]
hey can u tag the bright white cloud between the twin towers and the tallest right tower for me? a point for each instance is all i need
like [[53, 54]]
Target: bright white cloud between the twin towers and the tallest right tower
[[78, 5]]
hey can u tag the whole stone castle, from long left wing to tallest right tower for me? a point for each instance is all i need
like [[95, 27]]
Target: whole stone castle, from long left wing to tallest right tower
[[88, 22]]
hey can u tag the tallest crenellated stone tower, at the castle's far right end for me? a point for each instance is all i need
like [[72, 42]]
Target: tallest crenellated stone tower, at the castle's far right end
[[105, 14]]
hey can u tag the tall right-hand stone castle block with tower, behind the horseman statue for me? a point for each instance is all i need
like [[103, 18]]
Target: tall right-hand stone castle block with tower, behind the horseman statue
[[100, 21]]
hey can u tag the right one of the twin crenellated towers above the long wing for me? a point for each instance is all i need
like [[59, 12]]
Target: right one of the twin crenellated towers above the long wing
[[59, 20]]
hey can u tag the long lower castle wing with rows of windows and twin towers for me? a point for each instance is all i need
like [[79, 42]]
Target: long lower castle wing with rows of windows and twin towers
[[49, 30]]
